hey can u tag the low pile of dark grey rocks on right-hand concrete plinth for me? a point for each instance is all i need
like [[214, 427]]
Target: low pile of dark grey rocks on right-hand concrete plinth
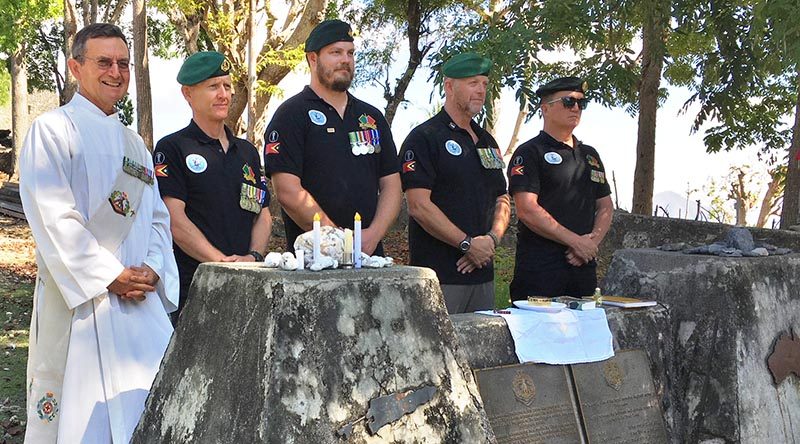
[[738, 242]]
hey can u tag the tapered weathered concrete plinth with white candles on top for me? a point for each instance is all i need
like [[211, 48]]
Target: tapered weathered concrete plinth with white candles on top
[[291, 357]]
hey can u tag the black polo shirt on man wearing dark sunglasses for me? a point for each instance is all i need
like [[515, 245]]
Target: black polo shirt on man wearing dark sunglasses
[[568, 183]]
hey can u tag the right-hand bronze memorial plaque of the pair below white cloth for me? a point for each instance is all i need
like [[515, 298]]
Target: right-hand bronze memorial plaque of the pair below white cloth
[[618, 400]]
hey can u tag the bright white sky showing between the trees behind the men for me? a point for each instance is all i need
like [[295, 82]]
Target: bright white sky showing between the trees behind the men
[[681, 161]]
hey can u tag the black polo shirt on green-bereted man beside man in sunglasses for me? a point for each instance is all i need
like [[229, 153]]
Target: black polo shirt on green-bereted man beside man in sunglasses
[[464, 182]]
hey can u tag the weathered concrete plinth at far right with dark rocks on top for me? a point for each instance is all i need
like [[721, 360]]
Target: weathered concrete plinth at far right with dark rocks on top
[[726, 314]]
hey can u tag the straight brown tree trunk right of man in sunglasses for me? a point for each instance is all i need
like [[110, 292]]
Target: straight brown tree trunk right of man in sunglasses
[[653, 49]]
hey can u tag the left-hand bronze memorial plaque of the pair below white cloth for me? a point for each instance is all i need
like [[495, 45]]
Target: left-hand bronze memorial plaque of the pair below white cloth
[[529, 403]]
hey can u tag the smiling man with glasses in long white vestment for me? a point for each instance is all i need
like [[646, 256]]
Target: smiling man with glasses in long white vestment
[[107, 275]]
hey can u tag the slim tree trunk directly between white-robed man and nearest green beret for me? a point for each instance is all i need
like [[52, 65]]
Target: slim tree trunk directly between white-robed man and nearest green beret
[[144, 102]]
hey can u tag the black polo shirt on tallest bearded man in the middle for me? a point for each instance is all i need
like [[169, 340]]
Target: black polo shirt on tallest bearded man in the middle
[[338, 160]]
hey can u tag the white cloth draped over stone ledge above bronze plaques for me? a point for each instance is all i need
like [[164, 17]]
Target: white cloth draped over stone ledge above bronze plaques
[[565, 337]]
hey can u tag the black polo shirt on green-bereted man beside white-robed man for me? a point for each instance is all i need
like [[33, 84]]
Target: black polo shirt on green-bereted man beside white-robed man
[[193, 167]]
